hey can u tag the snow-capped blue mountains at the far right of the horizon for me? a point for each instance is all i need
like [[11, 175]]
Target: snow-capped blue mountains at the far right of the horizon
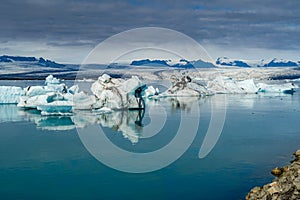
[[225, 61]]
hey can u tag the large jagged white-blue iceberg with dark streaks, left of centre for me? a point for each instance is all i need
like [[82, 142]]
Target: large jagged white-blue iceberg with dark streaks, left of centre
[[56, 99]]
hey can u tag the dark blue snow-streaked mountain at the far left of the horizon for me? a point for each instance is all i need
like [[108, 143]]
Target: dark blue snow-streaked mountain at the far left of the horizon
[[31, 61]]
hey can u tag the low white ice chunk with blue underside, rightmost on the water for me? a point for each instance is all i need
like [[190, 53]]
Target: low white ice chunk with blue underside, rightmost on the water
[[288, 88]]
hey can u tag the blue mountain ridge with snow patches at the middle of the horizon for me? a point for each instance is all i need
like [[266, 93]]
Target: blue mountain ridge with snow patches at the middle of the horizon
[[182, 63]]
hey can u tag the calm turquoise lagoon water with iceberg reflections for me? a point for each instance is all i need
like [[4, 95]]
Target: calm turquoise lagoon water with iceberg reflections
[[45, 157]]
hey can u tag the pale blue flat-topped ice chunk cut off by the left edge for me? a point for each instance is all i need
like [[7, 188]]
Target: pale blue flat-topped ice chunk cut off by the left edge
[[10, 94]]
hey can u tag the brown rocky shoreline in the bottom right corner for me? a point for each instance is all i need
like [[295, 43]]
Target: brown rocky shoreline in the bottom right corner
[[286, 185]]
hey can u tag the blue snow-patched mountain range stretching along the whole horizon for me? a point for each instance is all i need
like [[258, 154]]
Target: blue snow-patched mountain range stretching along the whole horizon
[[182, 63]]
